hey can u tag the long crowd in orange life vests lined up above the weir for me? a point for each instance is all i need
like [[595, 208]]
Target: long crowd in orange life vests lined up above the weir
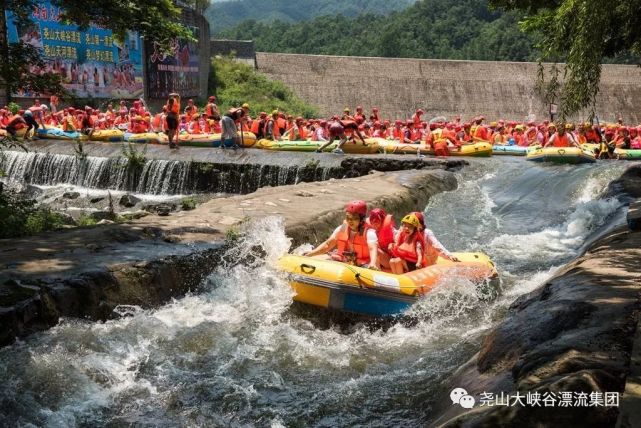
[[442, 135]]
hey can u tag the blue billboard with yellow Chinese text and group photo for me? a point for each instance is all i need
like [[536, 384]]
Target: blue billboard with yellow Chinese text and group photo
[[92, 62]]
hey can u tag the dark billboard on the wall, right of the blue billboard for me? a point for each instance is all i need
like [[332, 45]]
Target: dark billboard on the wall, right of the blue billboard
[[175, 71]]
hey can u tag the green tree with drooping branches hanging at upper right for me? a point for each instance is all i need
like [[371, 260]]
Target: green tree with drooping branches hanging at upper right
[[582, 33]]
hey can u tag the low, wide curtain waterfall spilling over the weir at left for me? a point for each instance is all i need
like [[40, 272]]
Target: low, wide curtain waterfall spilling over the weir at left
[[155, 176]]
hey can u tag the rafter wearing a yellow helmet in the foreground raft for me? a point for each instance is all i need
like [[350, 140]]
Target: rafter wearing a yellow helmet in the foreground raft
[[408, 246]]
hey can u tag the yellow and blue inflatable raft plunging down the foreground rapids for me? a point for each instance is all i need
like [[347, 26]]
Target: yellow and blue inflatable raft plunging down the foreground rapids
[[339, 286]]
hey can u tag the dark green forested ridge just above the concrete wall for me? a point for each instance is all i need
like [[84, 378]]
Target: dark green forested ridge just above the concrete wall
[[442, 29]]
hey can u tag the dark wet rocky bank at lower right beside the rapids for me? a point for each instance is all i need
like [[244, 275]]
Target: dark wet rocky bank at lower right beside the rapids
[[576, 333]]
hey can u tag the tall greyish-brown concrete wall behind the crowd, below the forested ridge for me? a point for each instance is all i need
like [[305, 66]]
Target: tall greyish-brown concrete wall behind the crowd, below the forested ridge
[[440, 87]]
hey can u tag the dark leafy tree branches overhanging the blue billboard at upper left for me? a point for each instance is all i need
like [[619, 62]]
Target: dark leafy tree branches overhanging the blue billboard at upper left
[[155, 19]]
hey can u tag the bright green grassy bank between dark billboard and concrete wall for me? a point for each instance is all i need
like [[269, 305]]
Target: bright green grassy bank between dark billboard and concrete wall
[[235, 83]]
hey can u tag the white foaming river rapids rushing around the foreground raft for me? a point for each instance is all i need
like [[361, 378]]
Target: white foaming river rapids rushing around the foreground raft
[[235, 354]]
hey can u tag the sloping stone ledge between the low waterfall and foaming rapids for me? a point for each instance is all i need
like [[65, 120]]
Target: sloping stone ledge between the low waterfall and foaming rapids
[[87, 272]]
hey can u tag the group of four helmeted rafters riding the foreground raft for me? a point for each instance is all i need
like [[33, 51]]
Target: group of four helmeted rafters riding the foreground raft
[[373, 242]]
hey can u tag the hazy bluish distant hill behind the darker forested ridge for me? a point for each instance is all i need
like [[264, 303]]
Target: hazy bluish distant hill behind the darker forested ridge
[[223, 15]]
